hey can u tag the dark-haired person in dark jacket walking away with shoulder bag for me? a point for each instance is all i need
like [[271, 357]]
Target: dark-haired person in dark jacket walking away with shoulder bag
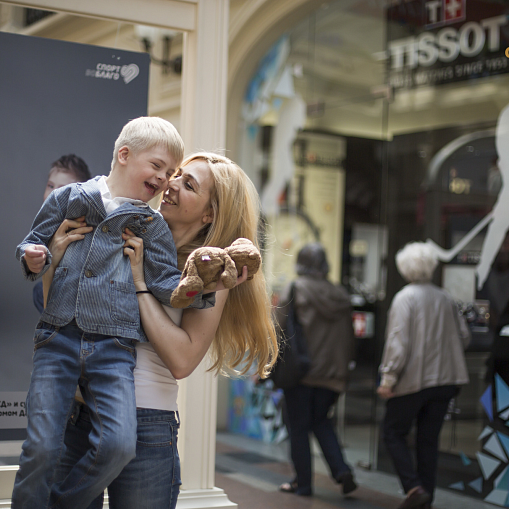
[[324, 311]]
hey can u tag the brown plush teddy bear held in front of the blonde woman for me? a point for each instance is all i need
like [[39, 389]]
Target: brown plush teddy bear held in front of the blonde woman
[[205, 266]]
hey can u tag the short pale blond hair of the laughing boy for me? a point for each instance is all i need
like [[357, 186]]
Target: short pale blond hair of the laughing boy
[[146, 132]]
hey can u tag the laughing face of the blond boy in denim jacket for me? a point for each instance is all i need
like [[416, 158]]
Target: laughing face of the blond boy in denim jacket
[[146, 174]]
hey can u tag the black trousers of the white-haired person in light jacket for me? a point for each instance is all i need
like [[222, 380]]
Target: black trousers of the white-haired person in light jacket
[[427, 408]]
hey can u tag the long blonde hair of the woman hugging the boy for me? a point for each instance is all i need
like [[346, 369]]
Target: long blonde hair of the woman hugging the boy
[[246, 333]]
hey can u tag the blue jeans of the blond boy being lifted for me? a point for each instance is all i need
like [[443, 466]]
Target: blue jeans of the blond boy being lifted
[[104, 367]]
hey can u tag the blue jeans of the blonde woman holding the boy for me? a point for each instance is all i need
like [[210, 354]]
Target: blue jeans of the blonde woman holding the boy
[[152, 479]]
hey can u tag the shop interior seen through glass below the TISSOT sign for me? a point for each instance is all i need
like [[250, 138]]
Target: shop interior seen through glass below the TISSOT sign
[[378, 166]]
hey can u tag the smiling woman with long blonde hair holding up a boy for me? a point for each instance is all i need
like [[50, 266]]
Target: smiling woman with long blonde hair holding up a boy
[[210, 201]]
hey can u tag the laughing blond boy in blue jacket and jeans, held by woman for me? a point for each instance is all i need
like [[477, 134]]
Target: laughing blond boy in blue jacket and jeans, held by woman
[[88, 329]]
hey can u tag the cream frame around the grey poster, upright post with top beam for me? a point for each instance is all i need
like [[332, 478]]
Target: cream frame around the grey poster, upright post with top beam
[[203, 116]]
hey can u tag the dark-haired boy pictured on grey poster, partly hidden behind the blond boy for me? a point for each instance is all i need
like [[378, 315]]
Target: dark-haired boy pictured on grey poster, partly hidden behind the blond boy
[[65, 170]]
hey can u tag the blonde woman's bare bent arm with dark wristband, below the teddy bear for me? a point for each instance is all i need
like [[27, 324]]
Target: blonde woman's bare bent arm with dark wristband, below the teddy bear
[[180, 348]]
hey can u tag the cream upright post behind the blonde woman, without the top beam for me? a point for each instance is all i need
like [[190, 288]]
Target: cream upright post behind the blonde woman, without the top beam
[[203, 118]]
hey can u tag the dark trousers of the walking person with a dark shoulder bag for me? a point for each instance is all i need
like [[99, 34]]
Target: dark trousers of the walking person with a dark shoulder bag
[[308, 411]]
